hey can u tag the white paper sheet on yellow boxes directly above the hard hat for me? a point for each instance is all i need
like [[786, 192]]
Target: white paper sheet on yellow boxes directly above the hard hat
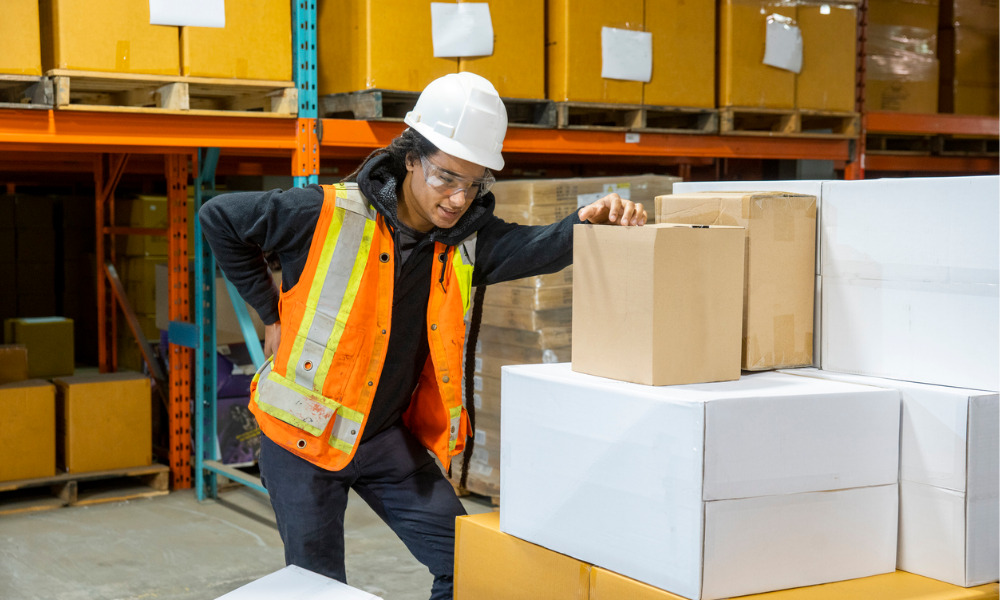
[[461, 29]]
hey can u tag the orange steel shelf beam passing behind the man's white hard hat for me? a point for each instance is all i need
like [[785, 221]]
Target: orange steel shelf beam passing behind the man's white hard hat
[[344, 137]]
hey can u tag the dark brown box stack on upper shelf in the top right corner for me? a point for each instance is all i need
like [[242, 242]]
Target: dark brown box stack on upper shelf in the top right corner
[[968, 43]]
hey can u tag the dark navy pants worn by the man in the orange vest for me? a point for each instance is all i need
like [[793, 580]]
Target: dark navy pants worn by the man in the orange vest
[[394, 474]]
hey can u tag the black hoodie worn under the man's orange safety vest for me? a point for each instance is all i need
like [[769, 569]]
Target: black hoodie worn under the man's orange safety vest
[[241, 227]]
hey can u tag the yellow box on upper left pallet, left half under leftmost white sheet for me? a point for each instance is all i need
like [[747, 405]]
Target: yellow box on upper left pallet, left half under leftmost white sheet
[[127, 42]]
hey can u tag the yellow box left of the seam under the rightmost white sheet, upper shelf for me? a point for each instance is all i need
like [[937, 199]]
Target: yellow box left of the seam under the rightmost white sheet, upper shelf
[[744, 79]]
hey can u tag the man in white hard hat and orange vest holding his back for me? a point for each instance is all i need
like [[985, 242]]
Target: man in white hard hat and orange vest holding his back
[[366, 335]]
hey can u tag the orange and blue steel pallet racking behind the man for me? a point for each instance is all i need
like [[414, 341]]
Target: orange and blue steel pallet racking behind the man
[[191, 146]]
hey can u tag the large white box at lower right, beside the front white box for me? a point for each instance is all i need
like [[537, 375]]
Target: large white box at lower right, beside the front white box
[[949, 524]]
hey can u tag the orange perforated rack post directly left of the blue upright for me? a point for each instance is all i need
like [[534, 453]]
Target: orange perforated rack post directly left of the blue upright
[[179, 309]]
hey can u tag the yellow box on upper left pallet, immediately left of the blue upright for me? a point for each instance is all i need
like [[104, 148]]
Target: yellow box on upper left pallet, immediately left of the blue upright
[[256, 43]]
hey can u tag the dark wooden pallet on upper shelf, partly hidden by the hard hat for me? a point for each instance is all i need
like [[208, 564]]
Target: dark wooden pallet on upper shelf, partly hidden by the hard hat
[[393, 105]]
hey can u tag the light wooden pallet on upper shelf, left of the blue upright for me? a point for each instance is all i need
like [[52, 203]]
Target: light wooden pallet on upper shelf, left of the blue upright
[[121, 92]]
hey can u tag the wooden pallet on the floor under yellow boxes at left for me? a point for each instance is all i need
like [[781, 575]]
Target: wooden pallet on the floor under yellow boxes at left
[[81, 489]]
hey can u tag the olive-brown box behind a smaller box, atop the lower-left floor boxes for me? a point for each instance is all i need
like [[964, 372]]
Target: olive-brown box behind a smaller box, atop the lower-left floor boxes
[[49, 341]]
